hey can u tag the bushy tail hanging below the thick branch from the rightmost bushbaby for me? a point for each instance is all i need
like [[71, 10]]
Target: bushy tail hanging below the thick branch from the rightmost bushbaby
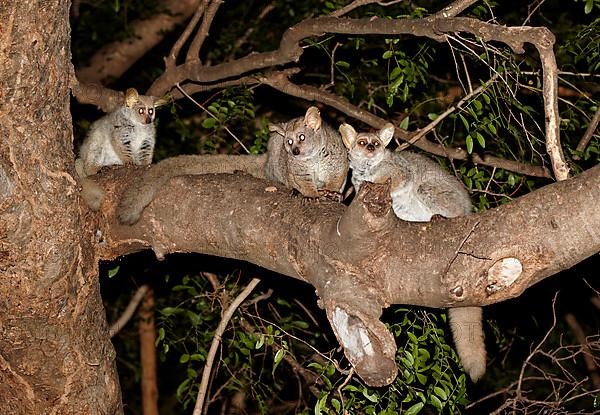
[[467, 331]]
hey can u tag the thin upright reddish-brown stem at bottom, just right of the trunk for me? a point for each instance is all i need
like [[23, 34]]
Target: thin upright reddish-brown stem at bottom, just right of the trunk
[[147, 332]]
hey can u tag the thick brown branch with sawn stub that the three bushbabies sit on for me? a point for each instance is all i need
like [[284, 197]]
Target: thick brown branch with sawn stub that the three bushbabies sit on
[[358, 257]]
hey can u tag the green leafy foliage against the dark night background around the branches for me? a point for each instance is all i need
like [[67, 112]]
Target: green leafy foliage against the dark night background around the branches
[[278, 352]]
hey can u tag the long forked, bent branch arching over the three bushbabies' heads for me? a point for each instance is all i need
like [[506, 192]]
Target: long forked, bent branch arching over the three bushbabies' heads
[[244, 70]]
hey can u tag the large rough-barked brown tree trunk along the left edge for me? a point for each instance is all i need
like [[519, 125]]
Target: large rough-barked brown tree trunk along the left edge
[[55, 354]]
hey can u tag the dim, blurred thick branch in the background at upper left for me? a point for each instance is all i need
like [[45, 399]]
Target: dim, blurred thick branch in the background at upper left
[[114, 59]]
